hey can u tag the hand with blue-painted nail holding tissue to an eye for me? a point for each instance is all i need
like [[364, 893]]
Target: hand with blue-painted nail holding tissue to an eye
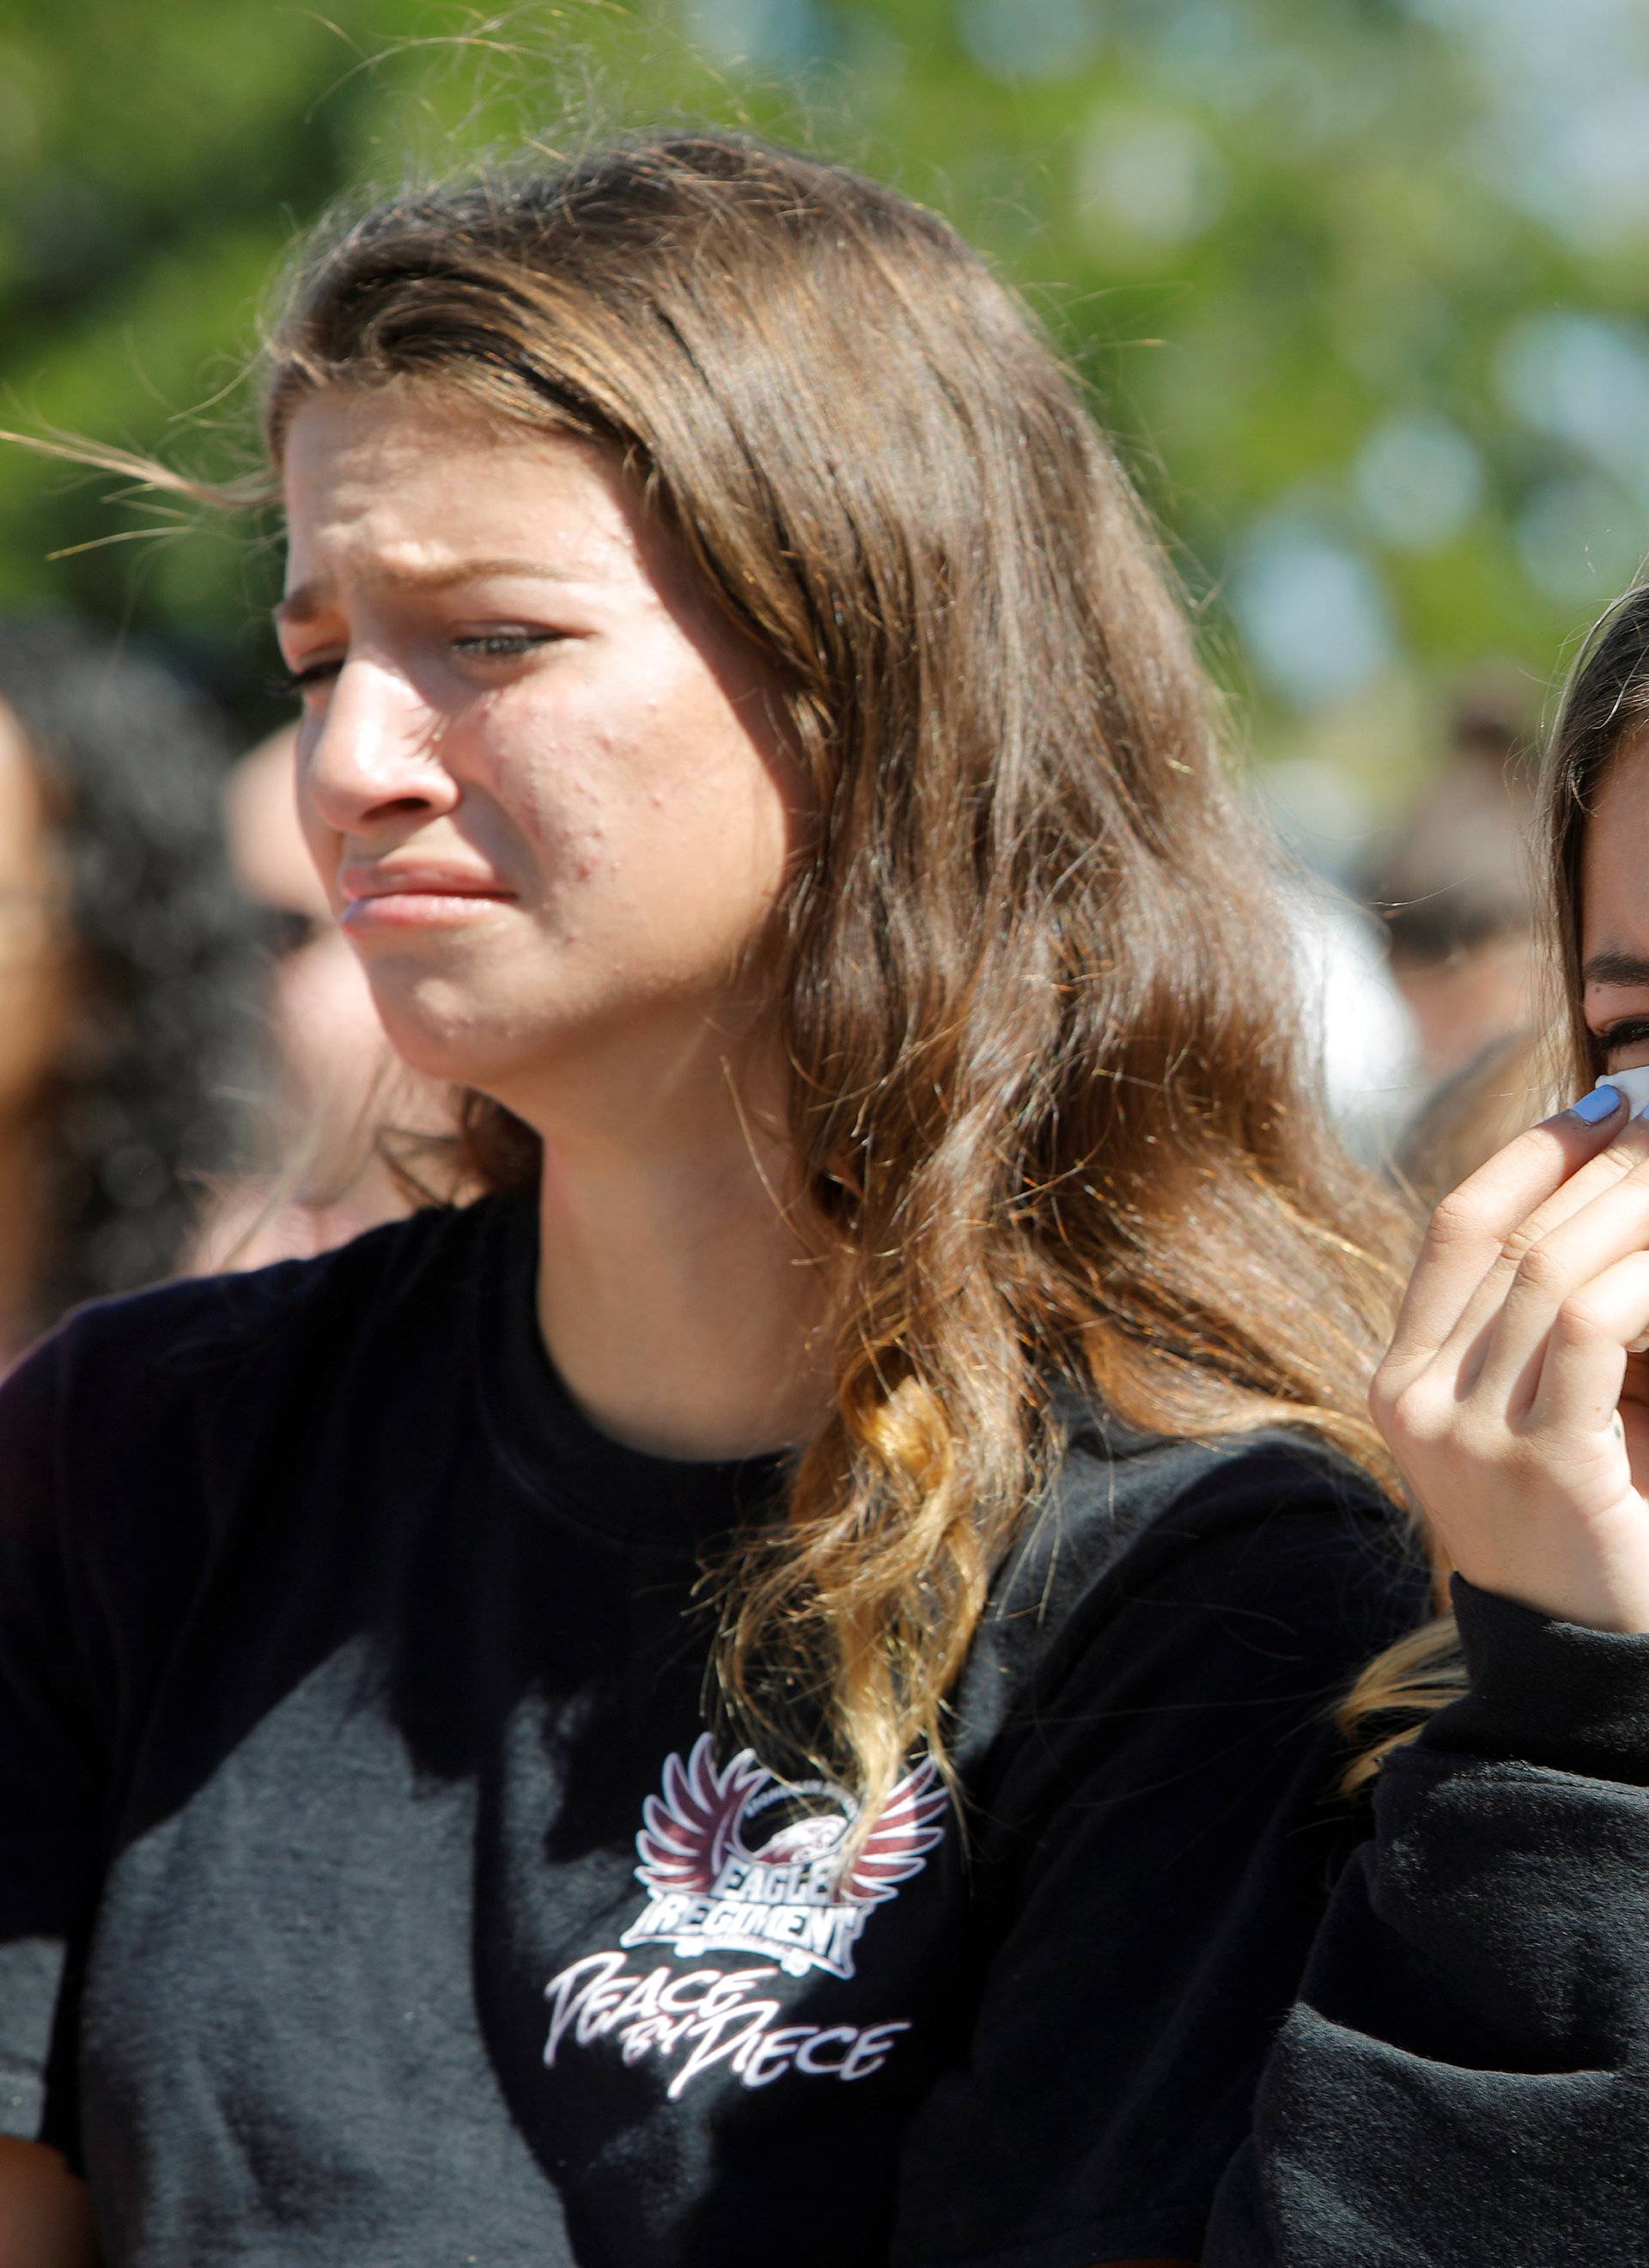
[[1512, 1398]]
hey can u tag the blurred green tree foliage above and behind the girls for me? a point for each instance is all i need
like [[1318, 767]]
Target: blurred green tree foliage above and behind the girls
[[1355, 282]]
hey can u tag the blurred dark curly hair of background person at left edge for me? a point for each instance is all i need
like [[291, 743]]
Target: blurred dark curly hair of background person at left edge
[[151, 1085]]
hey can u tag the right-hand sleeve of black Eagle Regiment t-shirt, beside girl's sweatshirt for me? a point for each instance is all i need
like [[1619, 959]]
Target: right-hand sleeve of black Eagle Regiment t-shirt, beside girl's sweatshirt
[[1156, 1856]]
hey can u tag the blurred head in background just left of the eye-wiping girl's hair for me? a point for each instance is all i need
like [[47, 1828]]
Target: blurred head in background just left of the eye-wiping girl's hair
[[1455, 888]]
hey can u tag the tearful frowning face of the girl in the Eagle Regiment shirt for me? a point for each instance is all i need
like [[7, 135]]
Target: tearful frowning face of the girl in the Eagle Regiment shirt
[[539, 772]]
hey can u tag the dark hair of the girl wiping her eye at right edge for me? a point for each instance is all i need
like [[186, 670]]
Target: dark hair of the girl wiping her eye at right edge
[[1605, 706]]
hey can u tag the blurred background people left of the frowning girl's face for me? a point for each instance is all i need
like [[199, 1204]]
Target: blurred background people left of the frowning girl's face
[[192, 1074]]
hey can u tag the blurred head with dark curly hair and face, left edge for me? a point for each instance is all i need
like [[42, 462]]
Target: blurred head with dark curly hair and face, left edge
[[126, 970]]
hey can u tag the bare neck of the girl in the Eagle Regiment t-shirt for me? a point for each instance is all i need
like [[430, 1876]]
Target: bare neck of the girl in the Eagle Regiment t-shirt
[[682, 1292]]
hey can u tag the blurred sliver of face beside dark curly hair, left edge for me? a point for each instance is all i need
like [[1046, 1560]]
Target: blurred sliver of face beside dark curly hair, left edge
[[33, 958]]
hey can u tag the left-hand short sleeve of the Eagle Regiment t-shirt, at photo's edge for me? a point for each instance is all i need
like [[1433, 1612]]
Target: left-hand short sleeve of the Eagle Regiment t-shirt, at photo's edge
[[51, 1772]]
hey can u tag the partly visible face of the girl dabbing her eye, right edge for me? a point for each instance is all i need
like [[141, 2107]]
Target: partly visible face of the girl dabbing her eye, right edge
[[1616, 911]]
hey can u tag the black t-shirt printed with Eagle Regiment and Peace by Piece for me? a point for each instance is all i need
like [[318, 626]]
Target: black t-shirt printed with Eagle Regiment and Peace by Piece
[[371, 1888]]
